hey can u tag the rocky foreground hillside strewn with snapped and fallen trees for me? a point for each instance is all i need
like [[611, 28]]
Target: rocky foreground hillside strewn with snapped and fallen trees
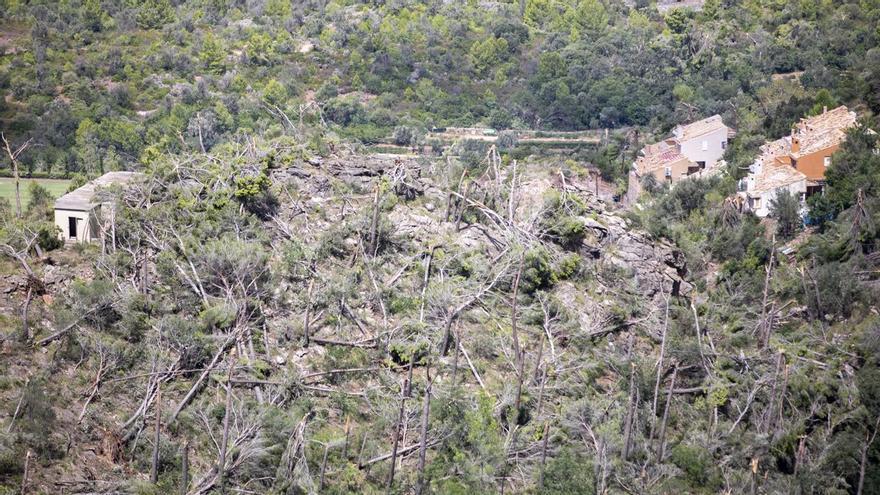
[[505, 325]]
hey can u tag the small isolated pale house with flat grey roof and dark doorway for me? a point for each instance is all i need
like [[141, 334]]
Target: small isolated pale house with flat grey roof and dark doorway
[[78, 213]]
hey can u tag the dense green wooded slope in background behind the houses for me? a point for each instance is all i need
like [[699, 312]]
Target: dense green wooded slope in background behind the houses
[[105, 85]]
